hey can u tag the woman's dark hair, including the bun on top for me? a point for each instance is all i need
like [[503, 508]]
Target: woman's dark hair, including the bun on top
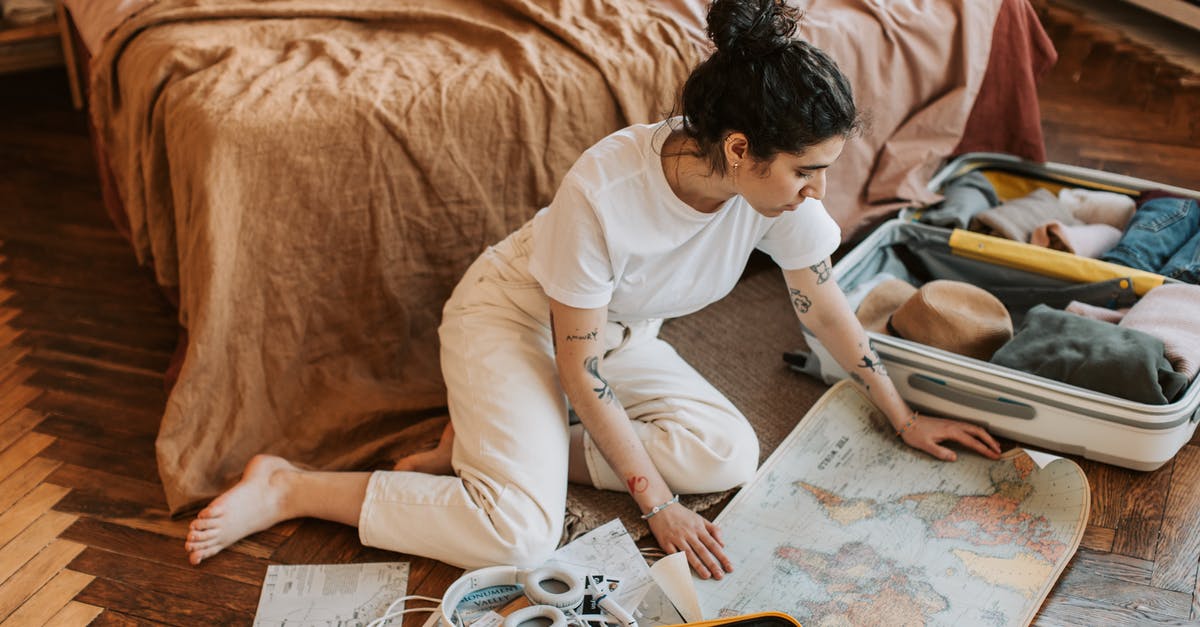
[[783, 93]]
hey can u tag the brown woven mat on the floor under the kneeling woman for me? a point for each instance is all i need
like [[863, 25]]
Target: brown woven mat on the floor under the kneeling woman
[[737, 344]]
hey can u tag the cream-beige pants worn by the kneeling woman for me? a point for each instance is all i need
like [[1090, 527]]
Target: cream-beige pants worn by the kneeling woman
[[512, 434]]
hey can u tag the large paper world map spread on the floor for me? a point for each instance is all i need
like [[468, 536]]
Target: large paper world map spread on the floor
[[847, 526]]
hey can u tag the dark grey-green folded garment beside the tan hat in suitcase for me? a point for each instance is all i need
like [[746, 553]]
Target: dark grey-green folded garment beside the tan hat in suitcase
[[1093, 355]]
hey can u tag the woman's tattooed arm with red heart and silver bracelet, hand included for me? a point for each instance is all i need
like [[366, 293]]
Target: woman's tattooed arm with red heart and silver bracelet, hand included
[[579, 354]]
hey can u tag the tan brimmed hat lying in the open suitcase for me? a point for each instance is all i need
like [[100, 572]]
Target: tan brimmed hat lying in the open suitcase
[[950, 315]]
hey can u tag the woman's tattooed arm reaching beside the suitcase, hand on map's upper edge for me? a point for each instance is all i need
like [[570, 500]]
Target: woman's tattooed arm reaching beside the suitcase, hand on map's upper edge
[[824, 309]]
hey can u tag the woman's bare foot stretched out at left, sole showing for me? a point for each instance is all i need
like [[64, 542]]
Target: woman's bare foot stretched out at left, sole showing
[[254, 505]]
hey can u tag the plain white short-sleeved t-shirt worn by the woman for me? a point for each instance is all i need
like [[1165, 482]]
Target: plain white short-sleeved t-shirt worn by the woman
[[616, 236]]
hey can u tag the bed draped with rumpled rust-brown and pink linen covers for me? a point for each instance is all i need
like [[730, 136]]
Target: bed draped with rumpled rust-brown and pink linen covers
[[309, 178]]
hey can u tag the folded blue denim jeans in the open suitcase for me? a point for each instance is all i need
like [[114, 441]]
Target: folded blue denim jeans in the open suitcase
[[1165, 238]]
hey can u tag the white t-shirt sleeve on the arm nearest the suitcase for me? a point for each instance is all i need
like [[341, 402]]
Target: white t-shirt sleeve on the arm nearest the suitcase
[[802, 238]]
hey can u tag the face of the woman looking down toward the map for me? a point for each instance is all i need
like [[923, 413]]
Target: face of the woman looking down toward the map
[[787, 182]]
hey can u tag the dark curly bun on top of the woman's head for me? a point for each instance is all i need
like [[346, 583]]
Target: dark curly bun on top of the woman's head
[[752, 29]]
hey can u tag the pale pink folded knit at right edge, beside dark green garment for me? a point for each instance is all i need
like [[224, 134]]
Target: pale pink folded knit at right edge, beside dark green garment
[[1169, 313]]
